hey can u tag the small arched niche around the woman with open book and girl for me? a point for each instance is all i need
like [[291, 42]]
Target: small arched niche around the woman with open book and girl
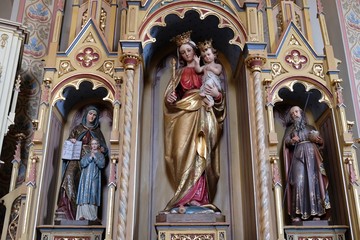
[[70, 100]]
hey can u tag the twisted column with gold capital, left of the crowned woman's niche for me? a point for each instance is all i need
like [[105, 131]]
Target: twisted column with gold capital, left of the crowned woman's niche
[[130, 61]]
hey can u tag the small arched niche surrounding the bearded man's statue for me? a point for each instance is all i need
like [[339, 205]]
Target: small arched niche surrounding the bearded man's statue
[[316, 101]]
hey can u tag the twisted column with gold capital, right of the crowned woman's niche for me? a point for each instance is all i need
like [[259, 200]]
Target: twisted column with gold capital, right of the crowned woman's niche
[[255, 63]]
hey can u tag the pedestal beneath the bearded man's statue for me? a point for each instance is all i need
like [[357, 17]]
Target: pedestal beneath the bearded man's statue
[[335, 232]]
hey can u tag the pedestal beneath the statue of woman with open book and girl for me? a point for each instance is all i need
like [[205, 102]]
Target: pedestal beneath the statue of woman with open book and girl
[[58, 232]]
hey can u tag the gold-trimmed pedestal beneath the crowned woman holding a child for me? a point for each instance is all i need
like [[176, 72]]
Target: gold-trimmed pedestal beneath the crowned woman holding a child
[[191, 226]]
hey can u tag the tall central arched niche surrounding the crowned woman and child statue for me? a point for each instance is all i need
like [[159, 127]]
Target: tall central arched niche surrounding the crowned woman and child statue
[[154, 188]]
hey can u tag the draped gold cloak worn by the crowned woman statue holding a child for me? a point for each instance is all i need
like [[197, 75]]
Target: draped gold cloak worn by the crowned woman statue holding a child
[[192, 135]]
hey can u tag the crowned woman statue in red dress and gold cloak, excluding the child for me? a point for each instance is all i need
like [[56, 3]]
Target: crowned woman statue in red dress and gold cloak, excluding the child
[[192, 133]]
